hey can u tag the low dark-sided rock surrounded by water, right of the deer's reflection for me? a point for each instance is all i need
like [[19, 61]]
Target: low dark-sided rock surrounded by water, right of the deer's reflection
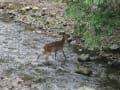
[[84, 71]]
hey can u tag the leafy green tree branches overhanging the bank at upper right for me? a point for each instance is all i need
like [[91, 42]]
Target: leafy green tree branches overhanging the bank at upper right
[[93, 18]]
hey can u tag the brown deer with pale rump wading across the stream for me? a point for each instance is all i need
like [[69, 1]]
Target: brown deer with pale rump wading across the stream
[[54, 47]]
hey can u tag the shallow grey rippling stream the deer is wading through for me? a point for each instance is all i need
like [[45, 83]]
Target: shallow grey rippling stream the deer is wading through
[[19, 49]]
